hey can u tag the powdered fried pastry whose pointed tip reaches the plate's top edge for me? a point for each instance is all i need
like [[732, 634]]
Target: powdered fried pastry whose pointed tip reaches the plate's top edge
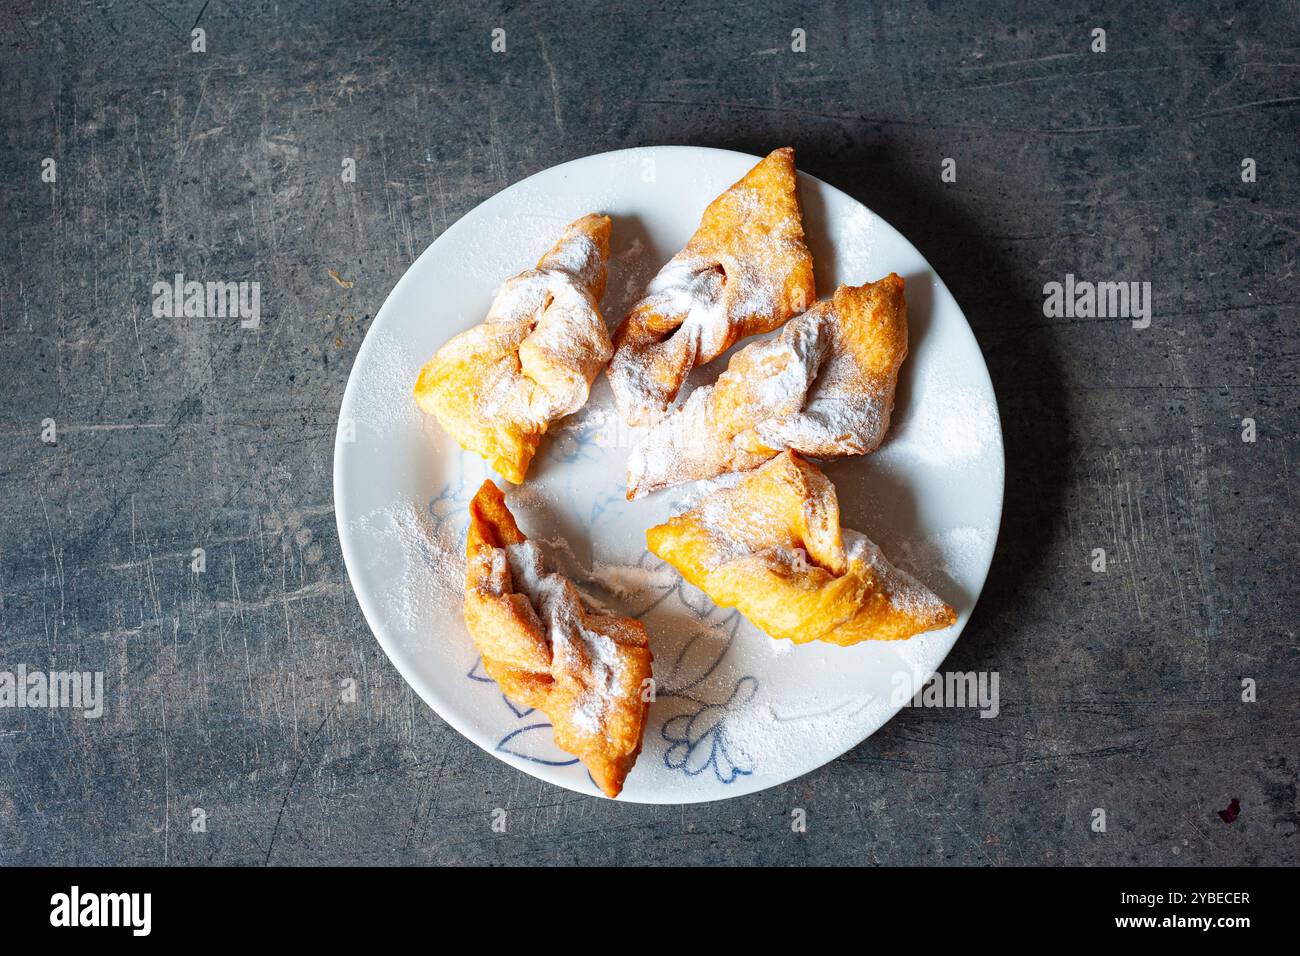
[[746, 271]]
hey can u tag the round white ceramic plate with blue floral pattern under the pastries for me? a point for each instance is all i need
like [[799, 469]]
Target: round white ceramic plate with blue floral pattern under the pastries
[[736, 712]]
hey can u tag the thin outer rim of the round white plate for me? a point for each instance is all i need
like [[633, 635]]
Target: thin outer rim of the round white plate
[[352, 559]]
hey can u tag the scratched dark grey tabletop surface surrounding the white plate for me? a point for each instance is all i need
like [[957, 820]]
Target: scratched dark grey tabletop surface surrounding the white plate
[[1120, 690]]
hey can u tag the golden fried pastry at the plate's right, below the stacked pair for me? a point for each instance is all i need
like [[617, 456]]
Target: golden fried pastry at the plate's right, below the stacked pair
[[773, 547]]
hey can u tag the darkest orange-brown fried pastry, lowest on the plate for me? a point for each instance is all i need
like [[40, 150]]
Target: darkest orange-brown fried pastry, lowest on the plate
[[547, 650]]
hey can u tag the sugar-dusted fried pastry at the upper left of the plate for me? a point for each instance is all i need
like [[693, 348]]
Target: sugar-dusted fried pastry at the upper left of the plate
[[500, 386]]
